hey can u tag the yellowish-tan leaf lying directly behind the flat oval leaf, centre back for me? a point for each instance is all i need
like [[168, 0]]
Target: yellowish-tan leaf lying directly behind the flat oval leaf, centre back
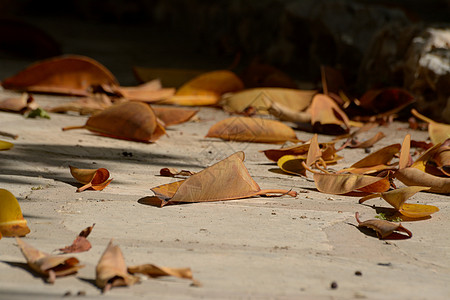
[[261, 98]]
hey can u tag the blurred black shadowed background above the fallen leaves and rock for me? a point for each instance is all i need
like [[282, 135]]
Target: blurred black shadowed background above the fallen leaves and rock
[[294, 36]]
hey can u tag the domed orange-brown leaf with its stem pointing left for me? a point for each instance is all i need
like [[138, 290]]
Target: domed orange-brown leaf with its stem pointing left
[[129, 120]]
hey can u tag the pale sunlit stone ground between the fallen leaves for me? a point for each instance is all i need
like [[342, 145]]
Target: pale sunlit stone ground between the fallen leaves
[[268, 248]]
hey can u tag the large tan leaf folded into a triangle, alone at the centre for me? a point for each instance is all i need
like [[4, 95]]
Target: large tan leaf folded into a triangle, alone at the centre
[[226, 180]]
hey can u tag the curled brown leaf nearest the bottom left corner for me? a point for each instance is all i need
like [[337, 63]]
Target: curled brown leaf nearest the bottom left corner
[[51, 266]]
